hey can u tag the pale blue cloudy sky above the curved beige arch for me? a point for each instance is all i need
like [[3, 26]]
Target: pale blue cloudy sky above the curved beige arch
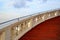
[[10, 9]]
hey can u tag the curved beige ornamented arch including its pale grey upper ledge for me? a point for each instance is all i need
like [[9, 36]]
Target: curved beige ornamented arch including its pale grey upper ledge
[[16, 28]]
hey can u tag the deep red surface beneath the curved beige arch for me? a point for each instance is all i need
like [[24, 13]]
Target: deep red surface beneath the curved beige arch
[[48, 30]]
